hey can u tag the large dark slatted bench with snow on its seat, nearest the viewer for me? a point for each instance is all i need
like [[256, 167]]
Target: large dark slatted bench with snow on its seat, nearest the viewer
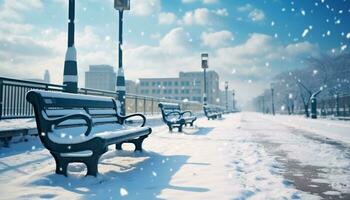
[[79, 128]]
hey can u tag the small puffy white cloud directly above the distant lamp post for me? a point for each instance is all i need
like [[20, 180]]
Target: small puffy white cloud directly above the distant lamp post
[[216, 39]]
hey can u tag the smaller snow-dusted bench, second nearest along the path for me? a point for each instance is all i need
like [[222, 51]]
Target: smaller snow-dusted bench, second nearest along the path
[[174, 117]]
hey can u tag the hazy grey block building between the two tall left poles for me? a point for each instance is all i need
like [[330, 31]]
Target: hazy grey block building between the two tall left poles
[[100, 77]]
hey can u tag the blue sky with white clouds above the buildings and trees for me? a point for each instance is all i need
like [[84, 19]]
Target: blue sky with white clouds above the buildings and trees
[[248, 41]]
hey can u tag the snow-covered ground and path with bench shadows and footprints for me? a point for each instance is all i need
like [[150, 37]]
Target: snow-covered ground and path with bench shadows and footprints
[[244, 155]]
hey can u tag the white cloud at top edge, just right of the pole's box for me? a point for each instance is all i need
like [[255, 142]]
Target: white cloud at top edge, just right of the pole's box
[[145, 7]]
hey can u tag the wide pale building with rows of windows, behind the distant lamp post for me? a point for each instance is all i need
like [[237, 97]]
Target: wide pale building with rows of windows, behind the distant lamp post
[[189, 85]]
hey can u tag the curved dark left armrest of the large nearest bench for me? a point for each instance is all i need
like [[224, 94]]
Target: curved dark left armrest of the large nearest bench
[[58, 120]]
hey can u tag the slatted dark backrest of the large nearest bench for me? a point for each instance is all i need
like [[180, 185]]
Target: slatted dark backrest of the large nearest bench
[[102, 110]]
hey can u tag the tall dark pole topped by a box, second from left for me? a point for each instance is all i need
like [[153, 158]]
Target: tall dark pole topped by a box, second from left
[[121, 5]]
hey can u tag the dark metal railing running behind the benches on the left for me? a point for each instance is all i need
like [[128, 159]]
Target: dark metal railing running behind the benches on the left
[[14, 105]]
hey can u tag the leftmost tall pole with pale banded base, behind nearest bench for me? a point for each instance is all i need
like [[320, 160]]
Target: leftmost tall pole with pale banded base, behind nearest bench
[[70, 73]]
